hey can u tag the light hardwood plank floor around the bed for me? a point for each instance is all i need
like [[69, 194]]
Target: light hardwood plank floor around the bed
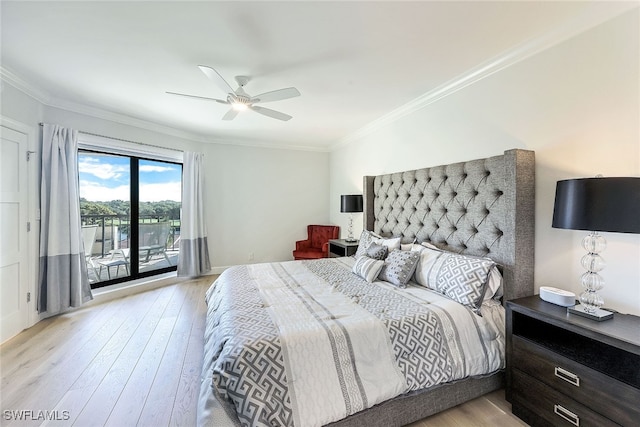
[[136, 361]]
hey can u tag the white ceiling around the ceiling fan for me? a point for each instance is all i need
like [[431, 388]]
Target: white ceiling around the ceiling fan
[[354, 62]]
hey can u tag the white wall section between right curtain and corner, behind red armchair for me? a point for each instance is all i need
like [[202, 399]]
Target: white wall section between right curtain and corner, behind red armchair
[[261, 201]]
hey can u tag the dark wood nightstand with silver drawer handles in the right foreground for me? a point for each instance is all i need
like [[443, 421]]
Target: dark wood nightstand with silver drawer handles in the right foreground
[[565, 370]]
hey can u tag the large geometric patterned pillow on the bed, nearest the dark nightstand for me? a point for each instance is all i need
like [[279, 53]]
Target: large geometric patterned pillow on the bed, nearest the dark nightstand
[[462, 278]]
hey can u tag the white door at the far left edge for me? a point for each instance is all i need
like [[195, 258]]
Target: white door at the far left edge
[[13, 233]]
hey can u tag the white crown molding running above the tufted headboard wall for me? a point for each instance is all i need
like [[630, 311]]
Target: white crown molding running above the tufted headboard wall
[[590, 18]]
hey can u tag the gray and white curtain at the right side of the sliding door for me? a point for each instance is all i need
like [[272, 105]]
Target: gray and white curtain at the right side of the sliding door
[[194, 251]]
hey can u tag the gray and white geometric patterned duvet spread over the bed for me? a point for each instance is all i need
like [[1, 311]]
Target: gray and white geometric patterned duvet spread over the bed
[[308, 343]]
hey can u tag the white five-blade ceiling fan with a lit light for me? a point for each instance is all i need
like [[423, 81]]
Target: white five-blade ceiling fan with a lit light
[[240, 100]]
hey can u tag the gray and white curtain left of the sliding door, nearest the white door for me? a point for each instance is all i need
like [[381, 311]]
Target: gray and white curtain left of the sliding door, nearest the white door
[[63, 281]]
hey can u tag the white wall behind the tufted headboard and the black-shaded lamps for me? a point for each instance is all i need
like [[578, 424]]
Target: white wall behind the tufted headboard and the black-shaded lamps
[[576, 105]]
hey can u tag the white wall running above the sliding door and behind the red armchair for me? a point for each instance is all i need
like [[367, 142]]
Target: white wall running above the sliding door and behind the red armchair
[[259, 200]]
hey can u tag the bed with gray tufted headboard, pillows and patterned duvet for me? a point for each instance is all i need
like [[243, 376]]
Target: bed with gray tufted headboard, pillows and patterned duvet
[[365, 341]]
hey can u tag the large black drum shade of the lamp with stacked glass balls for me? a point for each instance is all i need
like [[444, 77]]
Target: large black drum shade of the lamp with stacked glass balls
[[598, 204]]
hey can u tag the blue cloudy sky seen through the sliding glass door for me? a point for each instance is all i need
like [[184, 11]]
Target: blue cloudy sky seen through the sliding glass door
[[106, 177]]
